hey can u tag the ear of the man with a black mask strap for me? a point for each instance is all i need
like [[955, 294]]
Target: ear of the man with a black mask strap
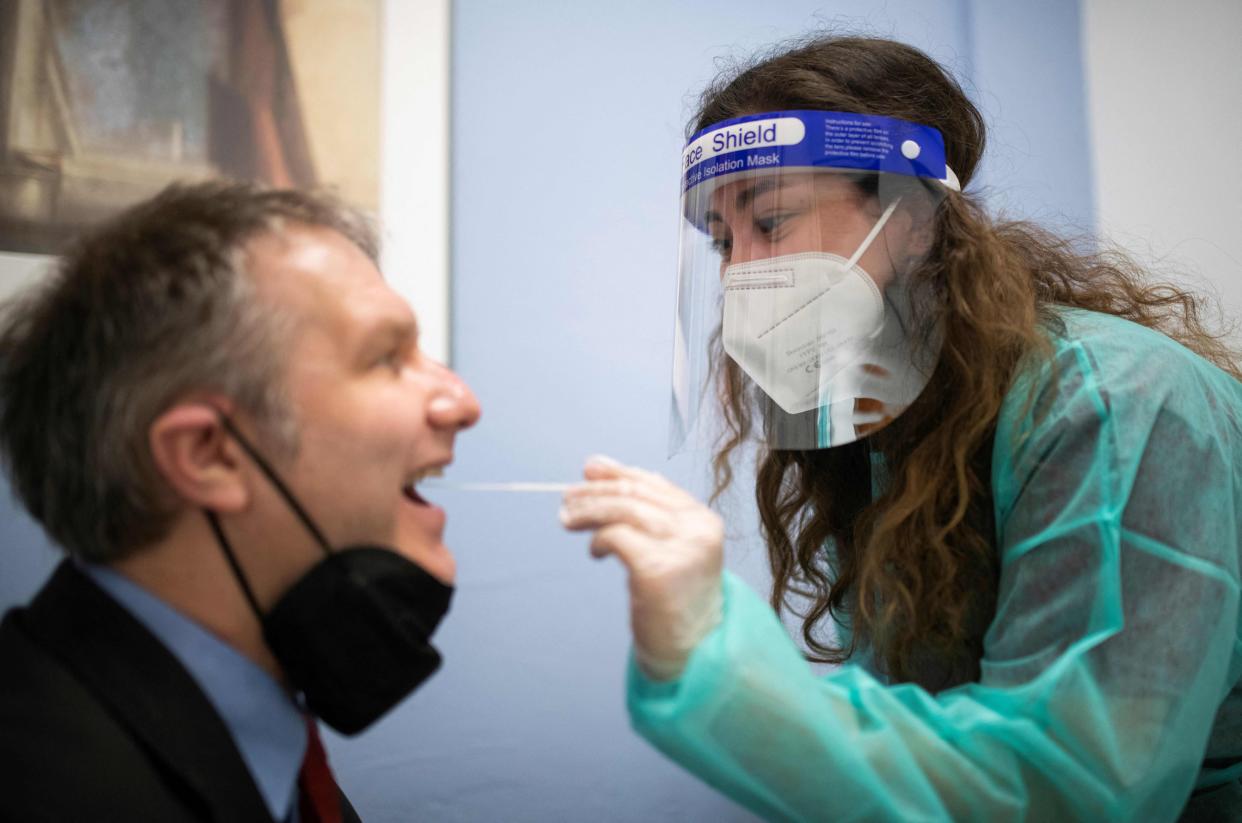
[[198, 459]]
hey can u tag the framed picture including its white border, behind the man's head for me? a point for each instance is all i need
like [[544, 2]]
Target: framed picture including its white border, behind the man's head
[[105, 102]]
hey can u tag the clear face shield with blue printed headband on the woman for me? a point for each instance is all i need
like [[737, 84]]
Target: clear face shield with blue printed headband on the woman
[[799, 236]]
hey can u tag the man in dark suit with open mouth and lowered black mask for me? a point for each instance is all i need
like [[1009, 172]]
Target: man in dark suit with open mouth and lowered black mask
[[219, 410]]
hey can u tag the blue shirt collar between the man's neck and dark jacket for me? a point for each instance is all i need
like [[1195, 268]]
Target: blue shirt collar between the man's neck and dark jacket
[[265, 723]]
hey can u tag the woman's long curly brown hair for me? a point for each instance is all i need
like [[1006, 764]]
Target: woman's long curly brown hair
[[913, 574]]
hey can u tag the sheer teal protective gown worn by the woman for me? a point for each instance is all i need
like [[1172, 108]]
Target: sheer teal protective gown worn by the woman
[[1108, 671]]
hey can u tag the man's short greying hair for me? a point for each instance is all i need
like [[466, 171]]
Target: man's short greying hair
[[150, 308]]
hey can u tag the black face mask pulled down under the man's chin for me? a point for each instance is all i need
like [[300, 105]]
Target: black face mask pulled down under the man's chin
[[353, 634]]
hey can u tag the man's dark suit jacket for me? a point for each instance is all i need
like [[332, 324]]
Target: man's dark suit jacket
[[99, 722]]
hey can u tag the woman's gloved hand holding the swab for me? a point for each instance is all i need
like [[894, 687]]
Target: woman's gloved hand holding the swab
[[671, 544]]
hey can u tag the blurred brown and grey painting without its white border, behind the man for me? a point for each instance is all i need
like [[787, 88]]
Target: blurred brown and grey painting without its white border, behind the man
[[105, 102]]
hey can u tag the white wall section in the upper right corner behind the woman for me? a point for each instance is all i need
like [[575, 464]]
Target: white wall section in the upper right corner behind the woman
[[1164, 90]]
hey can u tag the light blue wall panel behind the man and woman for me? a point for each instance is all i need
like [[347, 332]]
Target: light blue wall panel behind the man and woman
[[567, 130]]
